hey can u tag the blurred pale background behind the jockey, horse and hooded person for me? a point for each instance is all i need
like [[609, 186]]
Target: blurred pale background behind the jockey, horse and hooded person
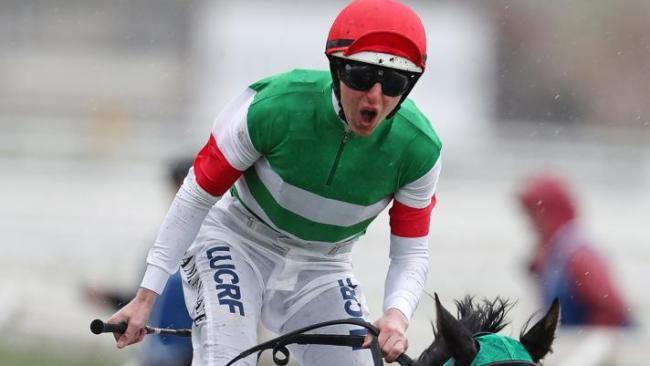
[[98, 97]]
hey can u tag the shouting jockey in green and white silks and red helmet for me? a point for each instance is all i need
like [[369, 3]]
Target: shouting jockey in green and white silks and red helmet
[[294, 170]]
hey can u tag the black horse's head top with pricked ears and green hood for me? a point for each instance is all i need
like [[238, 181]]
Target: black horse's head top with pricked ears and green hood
[[473, 339]]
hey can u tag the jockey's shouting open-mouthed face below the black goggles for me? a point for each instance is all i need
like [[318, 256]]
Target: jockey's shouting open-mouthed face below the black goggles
[[365, 110]]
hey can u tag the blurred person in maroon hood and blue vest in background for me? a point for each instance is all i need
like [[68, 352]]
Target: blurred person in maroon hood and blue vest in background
[[565, 263]]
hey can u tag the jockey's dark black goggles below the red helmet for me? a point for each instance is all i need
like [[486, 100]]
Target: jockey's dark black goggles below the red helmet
[[361, 76]]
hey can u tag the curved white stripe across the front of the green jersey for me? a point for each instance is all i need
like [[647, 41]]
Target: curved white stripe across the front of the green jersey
[[312, 206]]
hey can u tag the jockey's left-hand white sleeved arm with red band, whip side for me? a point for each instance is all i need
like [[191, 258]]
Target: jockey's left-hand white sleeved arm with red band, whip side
[[217, 166]]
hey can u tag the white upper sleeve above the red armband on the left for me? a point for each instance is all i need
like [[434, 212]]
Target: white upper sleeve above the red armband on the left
[[231, 132]]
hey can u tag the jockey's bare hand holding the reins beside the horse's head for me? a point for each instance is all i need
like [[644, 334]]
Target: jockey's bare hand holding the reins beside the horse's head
[[392, 334]]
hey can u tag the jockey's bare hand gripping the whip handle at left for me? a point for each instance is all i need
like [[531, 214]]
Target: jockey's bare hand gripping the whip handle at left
[[135, 314]]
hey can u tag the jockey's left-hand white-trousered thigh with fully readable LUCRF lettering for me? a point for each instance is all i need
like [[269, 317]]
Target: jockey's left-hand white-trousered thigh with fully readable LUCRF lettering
[[223, 294]]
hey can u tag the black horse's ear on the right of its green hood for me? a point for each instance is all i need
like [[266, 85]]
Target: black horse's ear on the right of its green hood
[[539, 338]]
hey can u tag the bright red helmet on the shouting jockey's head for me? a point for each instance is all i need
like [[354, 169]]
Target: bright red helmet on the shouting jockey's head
[[383, 32]]
